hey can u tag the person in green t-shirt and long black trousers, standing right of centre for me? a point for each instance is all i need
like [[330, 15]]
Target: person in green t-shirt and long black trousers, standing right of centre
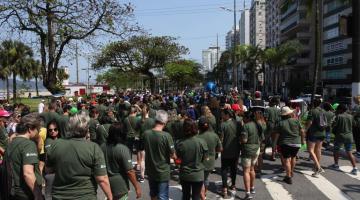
[[231, 149]]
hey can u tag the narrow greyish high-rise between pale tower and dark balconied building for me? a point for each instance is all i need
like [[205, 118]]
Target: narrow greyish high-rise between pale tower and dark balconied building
[[272, 23]]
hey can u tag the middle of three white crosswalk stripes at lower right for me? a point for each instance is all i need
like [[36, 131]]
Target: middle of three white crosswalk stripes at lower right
[[325, 186]]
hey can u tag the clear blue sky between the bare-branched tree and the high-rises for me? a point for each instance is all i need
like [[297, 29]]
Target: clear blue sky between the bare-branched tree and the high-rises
[[195, 22]]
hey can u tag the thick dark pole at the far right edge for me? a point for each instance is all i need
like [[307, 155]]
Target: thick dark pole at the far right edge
[[355, 48]]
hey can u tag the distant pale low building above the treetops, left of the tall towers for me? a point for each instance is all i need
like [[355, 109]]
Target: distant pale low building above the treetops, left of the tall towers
[[210, 58]]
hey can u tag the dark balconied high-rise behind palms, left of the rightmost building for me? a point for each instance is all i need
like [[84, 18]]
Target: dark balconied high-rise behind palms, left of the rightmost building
[[297, 24]]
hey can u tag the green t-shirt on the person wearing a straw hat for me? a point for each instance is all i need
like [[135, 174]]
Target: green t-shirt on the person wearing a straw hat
[[289, 130]]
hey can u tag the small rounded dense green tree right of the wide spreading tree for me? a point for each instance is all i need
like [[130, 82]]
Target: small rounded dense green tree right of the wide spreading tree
[[183, 73]]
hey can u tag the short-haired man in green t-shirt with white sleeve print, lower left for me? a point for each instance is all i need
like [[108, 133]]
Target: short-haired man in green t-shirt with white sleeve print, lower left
[[22, 155]]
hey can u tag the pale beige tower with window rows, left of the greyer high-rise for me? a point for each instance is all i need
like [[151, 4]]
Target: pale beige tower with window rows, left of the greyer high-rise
[[257, 23]]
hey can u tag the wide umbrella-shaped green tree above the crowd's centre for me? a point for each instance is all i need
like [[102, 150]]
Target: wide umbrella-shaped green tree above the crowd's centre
[[140, 54]]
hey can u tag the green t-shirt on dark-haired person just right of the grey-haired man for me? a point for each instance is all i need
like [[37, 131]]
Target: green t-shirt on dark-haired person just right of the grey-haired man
[[193, 152]]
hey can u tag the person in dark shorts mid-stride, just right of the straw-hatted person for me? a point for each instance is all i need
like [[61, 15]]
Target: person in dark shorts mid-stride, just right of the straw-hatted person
[[315, 135]]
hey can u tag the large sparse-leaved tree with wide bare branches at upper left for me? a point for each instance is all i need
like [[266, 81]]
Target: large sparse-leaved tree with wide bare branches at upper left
[[56, 23]]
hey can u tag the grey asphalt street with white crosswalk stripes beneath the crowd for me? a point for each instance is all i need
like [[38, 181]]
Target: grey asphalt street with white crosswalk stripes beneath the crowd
[[332, 184]]
